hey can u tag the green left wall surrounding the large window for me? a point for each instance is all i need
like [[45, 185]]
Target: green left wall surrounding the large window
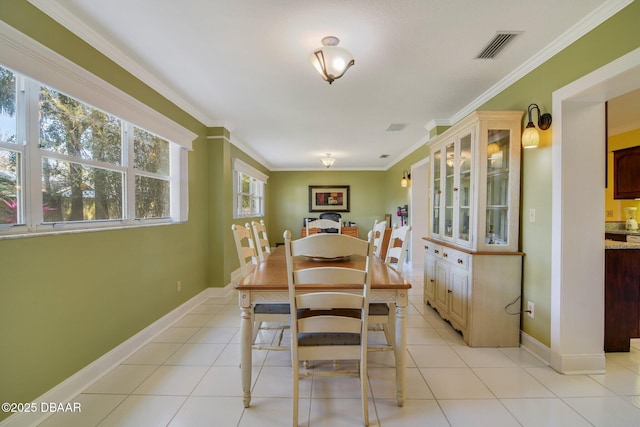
[[67, 299]]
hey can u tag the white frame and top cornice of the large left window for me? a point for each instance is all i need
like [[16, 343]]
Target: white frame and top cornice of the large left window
[[32, 62]]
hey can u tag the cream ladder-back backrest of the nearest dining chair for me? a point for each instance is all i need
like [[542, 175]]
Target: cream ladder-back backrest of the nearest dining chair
[[328, 246]]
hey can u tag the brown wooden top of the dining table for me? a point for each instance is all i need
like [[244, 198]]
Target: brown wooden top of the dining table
[[271, 274]]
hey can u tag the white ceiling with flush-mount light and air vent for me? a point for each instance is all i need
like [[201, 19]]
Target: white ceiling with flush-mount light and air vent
[[243, 64]]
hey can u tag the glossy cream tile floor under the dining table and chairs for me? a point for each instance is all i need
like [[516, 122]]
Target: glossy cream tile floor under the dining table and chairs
[[189, 376]]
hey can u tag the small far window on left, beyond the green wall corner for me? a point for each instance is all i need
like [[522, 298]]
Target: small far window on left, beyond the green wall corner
[[248, 190]]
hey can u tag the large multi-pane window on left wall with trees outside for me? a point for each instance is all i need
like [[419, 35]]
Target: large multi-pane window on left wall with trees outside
[[66, 163]]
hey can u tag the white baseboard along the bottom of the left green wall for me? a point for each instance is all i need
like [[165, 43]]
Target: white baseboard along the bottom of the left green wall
[[75, 384]]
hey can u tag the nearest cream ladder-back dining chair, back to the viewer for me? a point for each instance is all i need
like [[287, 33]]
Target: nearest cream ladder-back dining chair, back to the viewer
[[328, 324]]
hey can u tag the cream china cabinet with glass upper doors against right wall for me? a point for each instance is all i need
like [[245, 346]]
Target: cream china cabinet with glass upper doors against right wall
[[472, 269]]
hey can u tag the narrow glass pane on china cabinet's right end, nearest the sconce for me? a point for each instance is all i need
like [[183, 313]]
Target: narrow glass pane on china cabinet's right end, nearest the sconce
[[497, 211]]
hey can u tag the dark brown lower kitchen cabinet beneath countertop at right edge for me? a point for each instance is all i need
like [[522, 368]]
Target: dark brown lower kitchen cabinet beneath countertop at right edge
[[621, 298]]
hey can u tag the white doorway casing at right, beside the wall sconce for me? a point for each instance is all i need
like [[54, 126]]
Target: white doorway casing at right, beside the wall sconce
[[577, 249]]
